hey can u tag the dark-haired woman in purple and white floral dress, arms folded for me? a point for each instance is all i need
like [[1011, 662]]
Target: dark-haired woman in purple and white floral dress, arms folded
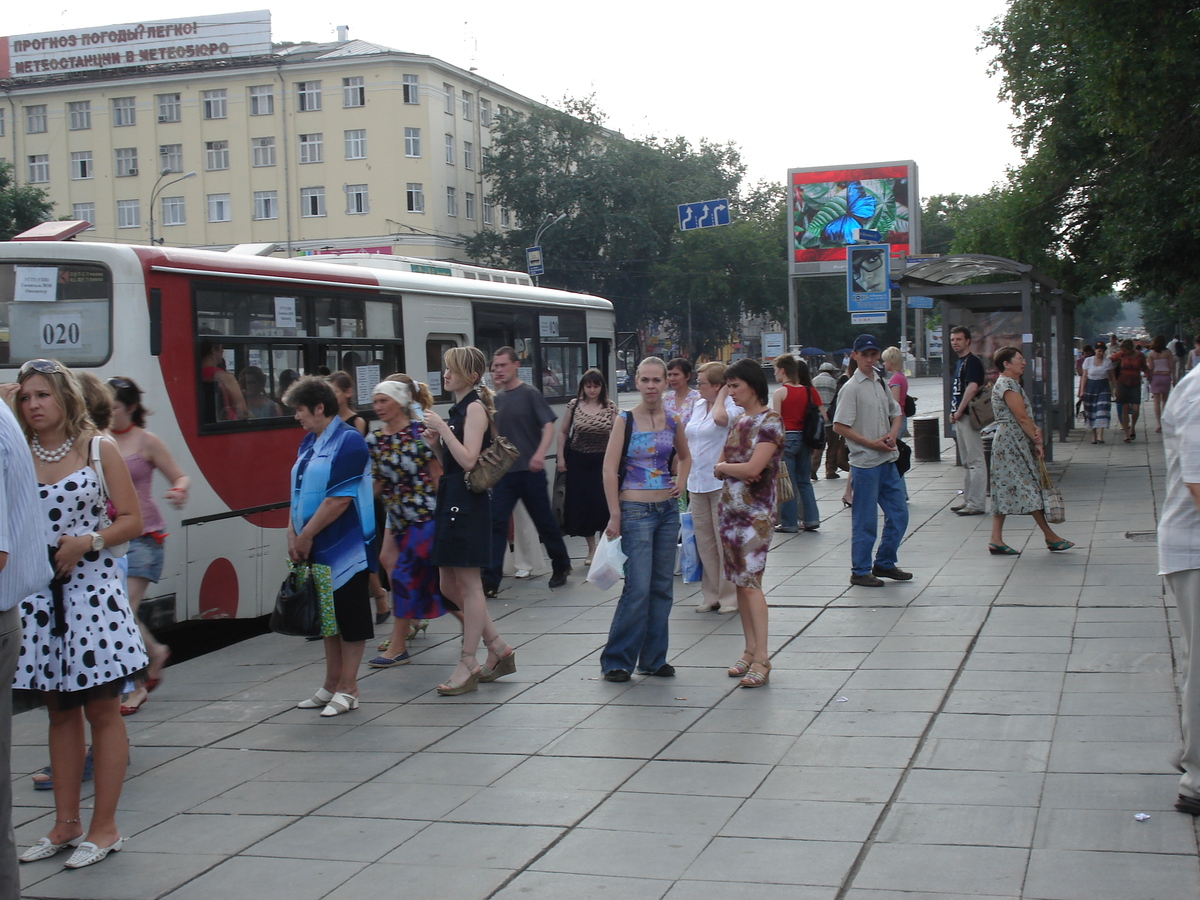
[[749, 466]]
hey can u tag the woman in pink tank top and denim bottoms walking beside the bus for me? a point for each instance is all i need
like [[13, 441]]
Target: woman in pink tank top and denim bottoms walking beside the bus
[[143, 454]]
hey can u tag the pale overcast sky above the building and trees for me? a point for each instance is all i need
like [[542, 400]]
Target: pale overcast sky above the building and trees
[[817, 85]]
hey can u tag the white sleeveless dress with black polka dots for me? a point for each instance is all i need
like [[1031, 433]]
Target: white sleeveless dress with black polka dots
[[89, 639]]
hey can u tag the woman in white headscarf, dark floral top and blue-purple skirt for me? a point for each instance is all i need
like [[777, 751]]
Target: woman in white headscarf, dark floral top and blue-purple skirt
[[401, 465]]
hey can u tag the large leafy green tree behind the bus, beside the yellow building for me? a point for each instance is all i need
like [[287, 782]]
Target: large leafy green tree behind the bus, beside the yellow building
[[620, 197]]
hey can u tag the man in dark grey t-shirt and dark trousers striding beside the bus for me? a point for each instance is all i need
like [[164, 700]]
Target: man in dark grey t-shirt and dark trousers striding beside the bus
[[525, 418]]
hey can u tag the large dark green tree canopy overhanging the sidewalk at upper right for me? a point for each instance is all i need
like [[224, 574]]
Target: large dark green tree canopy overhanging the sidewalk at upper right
[[1108, 190]]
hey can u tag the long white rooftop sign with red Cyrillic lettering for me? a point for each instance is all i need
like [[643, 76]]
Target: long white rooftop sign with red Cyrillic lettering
[[139, 44]]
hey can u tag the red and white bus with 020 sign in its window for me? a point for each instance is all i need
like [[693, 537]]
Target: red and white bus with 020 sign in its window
[[155, 315]]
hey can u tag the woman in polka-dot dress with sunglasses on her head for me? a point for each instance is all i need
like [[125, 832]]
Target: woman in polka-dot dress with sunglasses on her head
[[80, 643]]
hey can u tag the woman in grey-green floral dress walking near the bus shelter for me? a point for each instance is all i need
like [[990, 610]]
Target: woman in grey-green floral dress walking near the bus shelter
[[1016, 488]]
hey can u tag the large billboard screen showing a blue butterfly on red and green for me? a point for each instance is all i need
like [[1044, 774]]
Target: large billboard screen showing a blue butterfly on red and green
[[830, 206]]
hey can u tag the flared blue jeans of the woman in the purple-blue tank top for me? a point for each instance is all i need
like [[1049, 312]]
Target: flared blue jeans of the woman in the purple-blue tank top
[[639, 632]]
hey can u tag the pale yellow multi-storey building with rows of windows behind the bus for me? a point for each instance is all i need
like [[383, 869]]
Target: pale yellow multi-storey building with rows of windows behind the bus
[[315, 147]]
